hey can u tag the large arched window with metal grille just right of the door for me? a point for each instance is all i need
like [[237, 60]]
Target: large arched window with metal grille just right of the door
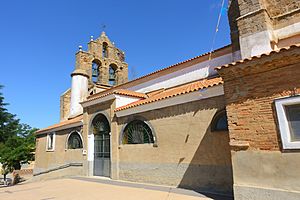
[[137, 132]]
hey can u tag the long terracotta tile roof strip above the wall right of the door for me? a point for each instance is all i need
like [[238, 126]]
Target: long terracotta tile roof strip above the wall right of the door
[[172, 92]]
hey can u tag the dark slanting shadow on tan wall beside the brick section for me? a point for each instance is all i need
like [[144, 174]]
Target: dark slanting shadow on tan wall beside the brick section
[[210, 170]]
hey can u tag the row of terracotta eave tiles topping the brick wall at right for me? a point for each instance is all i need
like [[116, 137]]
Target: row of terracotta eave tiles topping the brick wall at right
[[259, 56]]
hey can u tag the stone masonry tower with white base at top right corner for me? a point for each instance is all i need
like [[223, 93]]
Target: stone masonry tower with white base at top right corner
[[254, 24]]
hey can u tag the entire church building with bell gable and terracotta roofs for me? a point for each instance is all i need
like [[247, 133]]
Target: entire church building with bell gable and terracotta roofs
[[225, 122]]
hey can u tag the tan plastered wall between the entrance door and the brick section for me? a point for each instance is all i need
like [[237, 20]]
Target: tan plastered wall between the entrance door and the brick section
[[187, 154]]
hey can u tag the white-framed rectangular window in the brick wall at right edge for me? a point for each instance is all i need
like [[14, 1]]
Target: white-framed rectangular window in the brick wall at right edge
[[288, 113]]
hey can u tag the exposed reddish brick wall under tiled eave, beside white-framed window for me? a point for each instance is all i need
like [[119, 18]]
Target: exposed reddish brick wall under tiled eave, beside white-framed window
[[250, 90]]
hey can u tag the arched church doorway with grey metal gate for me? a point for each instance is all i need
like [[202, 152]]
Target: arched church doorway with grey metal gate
[[101, 131]]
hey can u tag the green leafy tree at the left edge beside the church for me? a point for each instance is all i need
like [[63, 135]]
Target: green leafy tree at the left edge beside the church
[[17, 141]]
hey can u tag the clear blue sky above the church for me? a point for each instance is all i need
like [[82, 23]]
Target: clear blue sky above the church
[[39, 39]]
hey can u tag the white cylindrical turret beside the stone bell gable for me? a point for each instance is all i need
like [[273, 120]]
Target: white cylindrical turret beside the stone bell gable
[[79, 91]]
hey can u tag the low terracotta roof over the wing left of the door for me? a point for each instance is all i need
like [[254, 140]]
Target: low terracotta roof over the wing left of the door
[[62, 125]]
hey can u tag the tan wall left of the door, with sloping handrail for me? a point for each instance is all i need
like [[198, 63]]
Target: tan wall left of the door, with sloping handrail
[[61, 161]]
